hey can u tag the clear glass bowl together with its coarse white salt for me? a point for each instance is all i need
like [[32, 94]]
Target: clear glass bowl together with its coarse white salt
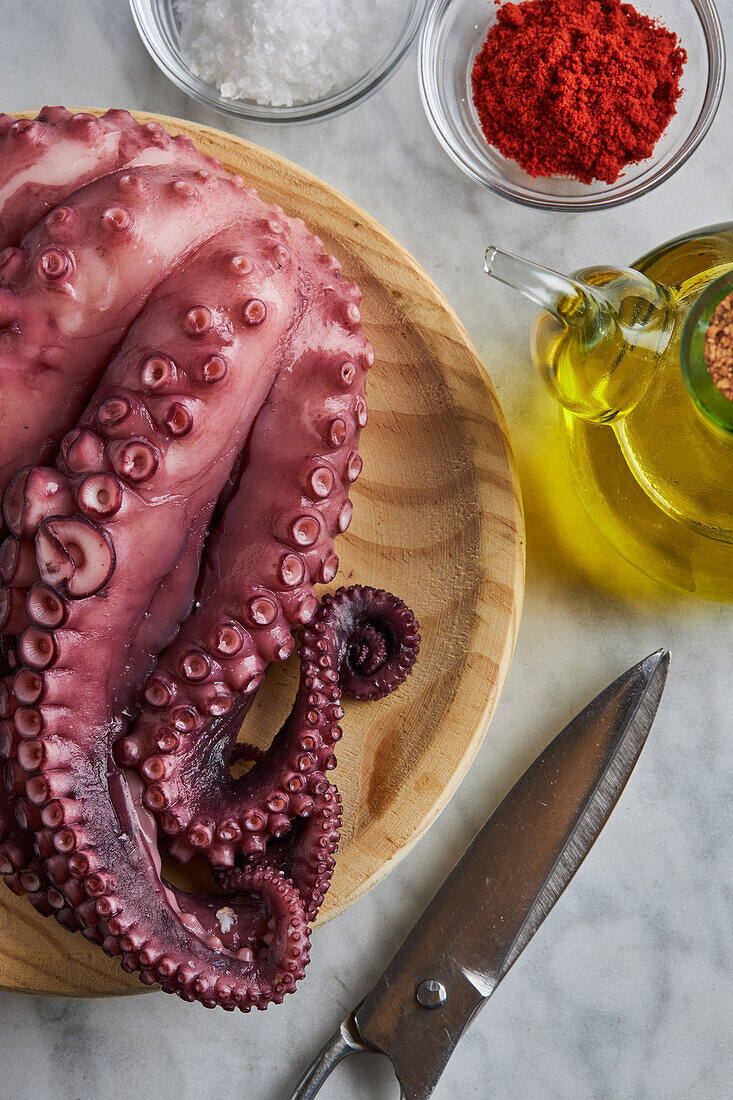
[[278, 61]]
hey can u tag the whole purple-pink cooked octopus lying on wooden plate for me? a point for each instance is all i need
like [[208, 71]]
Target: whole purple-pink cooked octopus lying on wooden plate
[[182, 394]]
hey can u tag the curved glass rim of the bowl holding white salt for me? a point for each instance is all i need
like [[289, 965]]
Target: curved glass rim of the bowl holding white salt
[[318, 109]]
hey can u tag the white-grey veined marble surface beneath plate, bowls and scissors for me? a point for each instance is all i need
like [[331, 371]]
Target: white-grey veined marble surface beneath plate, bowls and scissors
[[628, 991]]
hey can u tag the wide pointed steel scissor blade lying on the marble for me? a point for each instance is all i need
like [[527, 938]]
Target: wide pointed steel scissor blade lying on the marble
[[509, 879]]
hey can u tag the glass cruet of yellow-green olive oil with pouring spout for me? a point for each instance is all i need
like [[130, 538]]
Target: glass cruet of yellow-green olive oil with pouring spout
[[649, 433]]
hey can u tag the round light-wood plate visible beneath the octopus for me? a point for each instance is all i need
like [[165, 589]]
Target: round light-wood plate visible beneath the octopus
[[437, 521]]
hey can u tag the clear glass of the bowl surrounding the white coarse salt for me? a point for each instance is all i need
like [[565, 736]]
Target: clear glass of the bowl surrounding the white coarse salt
[[159, 29]]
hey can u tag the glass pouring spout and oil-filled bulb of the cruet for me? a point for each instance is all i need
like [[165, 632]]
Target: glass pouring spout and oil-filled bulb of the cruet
[[599, 335]]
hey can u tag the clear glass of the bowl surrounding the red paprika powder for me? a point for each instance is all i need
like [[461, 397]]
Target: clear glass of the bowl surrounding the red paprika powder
[[454, 34]]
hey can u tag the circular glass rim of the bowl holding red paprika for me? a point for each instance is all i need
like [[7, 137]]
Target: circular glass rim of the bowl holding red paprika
[[717, 63]]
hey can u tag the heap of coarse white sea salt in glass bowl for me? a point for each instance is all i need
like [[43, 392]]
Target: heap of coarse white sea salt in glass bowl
[[283, 52]]
